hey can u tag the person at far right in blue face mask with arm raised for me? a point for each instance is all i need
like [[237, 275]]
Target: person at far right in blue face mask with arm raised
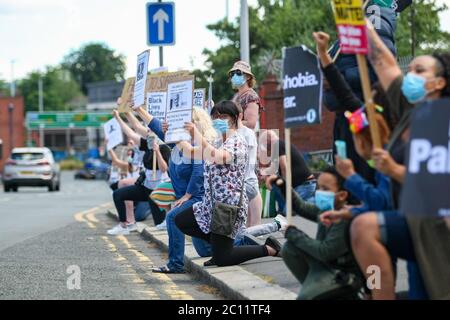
[[376, 236]]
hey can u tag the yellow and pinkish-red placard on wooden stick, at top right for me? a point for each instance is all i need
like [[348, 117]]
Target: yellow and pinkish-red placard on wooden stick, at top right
[[351, 26]]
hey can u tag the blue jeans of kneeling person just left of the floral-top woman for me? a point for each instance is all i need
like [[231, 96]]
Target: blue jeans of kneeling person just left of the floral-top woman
[[176, 237]]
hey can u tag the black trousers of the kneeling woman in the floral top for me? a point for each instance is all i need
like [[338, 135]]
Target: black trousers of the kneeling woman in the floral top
[[223, 250]]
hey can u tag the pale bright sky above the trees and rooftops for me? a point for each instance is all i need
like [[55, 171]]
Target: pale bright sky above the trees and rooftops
[[36, 33]]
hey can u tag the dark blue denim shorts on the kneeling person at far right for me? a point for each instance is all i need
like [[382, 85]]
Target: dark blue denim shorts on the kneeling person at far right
[[395, 235]]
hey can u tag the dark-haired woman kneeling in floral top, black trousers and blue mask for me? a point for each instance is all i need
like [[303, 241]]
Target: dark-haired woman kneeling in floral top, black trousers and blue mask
[[225, 169]]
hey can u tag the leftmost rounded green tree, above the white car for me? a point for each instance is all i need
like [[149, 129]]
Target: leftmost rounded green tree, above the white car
[[60, 91]]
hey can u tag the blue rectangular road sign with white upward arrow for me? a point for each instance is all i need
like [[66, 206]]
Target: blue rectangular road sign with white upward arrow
[[160, 23]]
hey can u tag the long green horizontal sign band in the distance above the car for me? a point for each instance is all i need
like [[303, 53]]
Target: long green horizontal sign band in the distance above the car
[[64, 120]]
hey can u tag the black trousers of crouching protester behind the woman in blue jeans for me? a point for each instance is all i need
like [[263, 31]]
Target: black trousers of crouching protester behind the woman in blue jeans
[[136, 193]]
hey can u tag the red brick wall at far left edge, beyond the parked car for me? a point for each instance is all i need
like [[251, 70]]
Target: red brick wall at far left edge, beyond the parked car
[[18, 125]]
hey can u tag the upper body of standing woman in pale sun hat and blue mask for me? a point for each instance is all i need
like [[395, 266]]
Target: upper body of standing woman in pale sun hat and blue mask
[[243, 81]]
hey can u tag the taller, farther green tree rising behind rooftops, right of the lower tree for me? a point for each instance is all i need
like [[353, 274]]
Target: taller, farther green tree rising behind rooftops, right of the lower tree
[[95, 62]]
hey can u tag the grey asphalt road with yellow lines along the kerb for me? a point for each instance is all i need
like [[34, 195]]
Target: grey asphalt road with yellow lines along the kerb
[[54, 246]]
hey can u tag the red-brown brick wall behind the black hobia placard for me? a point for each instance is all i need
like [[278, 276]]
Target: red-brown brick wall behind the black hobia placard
[[307, 139]]
